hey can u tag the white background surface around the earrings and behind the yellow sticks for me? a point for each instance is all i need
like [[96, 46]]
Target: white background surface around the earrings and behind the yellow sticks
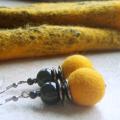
[[108, 109]]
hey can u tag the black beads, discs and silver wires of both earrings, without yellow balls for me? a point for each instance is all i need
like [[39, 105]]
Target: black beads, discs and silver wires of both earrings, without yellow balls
[[53, 87]]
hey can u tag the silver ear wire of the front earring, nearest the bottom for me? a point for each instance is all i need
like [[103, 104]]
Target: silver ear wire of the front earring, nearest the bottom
[[24, 94]]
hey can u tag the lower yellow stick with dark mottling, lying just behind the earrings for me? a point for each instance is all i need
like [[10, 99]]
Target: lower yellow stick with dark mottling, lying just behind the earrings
[[49, 40]]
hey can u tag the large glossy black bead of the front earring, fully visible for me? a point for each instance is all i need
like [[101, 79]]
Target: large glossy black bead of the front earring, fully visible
[[49, 93]]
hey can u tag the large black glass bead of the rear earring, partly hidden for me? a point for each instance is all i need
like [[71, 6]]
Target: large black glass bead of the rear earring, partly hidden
[[44, 76]]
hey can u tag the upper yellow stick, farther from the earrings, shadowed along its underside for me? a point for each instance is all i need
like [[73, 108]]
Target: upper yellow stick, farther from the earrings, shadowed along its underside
[[97, 14]]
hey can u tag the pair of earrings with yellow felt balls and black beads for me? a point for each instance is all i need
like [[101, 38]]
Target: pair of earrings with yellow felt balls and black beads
[[75, 80]]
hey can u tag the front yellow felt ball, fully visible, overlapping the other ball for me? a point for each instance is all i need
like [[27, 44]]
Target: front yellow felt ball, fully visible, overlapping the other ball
[[87, 86]]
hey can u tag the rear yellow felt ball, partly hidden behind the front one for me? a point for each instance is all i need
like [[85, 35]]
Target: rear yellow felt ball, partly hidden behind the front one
[[74, 62]]
